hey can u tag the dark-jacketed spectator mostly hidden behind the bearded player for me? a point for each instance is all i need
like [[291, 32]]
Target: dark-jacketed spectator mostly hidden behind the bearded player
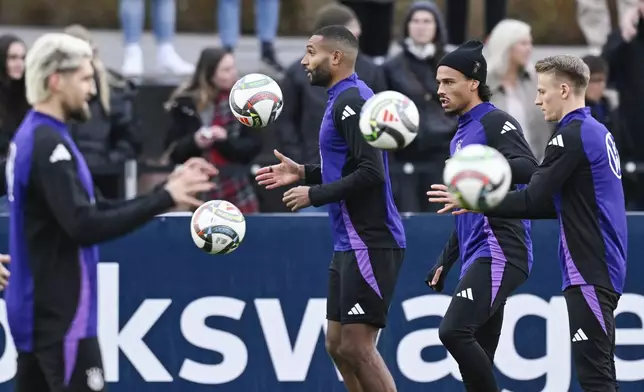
[[298, 125]]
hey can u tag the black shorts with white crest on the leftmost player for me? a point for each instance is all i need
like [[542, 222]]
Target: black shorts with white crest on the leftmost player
[[63, 367]]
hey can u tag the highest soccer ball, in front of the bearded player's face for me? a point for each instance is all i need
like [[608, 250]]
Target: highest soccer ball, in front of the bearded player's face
[[256, 100]]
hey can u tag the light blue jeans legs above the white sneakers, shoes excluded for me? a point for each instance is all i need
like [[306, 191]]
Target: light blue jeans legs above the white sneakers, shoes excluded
[[132, 13]]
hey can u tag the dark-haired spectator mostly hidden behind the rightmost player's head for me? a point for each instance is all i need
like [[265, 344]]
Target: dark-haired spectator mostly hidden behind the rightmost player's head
[[600, 105]]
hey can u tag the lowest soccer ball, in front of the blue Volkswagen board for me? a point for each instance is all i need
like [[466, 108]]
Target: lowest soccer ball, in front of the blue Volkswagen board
[[217, 227]]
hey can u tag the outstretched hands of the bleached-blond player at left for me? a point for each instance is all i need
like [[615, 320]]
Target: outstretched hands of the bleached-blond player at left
[[186, 183]]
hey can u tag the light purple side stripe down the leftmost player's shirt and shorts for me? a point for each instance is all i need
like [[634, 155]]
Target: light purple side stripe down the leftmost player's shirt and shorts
[[78, 328]]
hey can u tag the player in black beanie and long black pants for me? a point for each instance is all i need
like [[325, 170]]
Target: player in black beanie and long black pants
[[495, 254]]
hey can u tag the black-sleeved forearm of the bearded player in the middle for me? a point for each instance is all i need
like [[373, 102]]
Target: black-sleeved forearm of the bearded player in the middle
[[342, 189]]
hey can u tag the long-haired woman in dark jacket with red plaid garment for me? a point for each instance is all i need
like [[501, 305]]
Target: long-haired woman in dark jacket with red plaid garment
[[203, 125]]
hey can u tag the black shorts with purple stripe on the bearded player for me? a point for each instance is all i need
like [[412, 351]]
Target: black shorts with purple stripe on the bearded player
[[361, 285]]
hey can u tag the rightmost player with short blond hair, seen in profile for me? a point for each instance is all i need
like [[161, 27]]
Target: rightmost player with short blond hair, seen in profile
[[579, 183]]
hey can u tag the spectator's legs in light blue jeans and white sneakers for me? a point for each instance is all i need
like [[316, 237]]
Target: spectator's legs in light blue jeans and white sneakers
[[132, 14]]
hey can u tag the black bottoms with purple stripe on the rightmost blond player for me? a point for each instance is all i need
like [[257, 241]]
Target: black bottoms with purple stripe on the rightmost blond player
[[592, 330]]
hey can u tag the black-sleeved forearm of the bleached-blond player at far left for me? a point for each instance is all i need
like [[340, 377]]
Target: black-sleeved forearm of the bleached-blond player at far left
[[94, 225]]
